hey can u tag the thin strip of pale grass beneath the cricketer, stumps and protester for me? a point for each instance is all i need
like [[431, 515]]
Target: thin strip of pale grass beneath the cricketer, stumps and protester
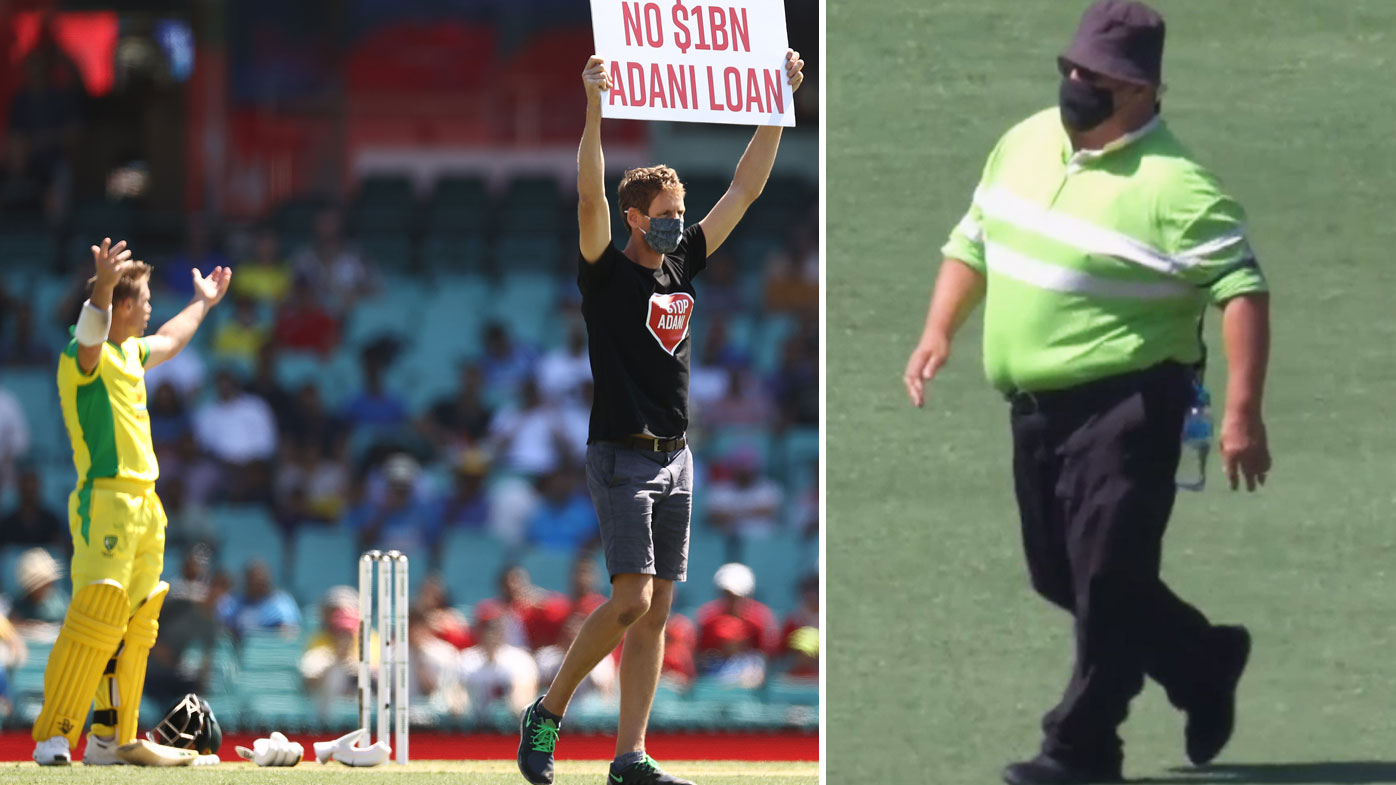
[[426, 772]]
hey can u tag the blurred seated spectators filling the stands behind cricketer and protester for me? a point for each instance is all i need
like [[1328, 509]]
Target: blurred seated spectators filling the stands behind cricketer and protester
[[500, 455]]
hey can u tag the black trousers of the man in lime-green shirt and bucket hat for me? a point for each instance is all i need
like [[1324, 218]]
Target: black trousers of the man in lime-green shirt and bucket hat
[[1095, 471]]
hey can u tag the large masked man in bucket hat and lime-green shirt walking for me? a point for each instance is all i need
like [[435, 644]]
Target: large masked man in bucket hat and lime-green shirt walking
[[1097, 244]]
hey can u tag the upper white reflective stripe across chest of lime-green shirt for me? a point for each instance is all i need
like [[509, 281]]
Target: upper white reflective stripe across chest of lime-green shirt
[[1069, 230]]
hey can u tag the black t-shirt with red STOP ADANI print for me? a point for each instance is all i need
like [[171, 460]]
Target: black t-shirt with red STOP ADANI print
[[637, 333]]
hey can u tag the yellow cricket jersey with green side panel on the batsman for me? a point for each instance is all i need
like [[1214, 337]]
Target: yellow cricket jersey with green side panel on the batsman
[[105, 414]]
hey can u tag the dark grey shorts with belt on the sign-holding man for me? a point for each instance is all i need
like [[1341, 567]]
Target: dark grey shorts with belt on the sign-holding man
[[644, 504]]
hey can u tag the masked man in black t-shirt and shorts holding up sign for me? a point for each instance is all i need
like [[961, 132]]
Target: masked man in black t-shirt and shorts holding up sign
[[639, 304]]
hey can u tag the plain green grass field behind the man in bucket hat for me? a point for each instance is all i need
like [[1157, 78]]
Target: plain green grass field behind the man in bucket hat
[[942, 660]]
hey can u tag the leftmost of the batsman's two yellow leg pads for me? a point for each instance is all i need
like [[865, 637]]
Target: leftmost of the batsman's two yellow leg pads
[[91, 632]]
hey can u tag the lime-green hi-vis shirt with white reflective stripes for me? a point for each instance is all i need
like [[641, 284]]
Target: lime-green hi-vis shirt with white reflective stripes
[[1098, 263]]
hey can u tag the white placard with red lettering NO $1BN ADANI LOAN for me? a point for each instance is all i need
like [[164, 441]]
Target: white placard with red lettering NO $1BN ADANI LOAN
[[695, 62]]
